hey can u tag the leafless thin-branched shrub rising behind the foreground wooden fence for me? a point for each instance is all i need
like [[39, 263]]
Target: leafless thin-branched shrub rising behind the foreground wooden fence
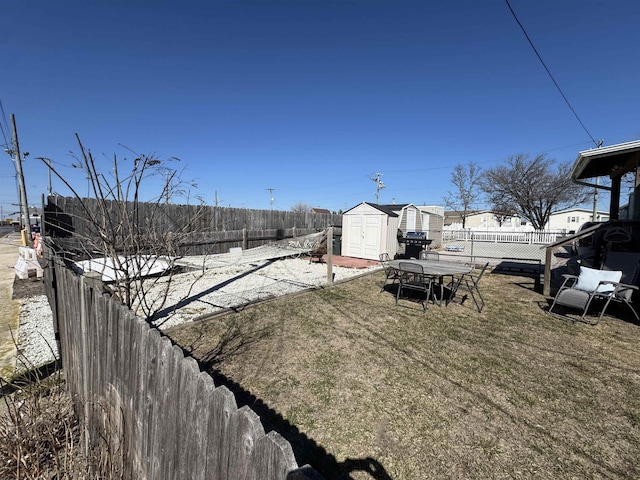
[[132, 237]]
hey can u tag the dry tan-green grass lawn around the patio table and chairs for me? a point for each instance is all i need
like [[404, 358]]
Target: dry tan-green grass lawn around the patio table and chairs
[[364, 388]]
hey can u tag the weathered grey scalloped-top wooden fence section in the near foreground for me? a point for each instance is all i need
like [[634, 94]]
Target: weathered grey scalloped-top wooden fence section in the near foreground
[[145, 406]]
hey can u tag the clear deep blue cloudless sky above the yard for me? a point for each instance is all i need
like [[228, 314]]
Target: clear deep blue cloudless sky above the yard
[[311, 98]]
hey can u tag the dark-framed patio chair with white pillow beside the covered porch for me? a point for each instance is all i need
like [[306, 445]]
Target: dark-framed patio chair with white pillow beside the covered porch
[[616, 281]]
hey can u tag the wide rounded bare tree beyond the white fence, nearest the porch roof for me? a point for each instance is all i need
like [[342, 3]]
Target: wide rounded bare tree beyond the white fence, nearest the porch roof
[[533, 188]]
